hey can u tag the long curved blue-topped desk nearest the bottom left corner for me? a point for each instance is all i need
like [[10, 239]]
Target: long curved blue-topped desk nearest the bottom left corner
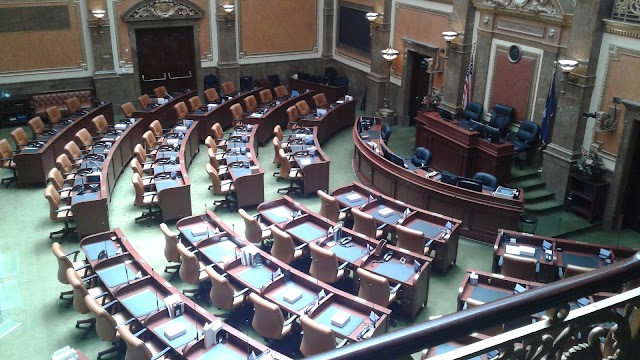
[[141, 292]]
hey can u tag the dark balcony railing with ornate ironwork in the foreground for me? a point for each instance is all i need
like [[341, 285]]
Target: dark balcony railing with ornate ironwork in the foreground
[[545, 337]]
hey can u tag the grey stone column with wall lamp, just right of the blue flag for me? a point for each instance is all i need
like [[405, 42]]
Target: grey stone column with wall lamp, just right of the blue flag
[[569, 127]]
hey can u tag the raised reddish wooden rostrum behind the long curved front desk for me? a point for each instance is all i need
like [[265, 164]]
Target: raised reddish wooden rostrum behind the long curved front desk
[[461, 151]]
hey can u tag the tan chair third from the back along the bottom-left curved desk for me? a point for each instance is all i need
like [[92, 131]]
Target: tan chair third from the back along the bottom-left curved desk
[[107, 321]]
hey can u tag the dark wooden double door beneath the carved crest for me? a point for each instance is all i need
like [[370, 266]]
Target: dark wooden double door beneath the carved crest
[[166, 57]]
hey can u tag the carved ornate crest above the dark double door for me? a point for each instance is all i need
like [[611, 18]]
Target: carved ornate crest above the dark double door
[[163, 10]]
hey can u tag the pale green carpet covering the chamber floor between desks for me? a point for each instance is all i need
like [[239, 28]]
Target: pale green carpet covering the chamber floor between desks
[[29, 288]]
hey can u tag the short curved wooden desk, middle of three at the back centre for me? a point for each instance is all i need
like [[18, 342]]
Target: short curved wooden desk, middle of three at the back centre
[[269, 116]]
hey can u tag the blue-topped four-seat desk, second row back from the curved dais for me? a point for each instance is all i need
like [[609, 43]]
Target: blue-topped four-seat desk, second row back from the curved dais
[[358, 253]]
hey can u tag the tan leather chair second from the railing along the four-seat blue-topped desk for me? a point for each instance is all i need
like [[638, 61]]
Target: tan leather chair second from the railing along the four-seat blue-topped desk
[[268, 320]]
